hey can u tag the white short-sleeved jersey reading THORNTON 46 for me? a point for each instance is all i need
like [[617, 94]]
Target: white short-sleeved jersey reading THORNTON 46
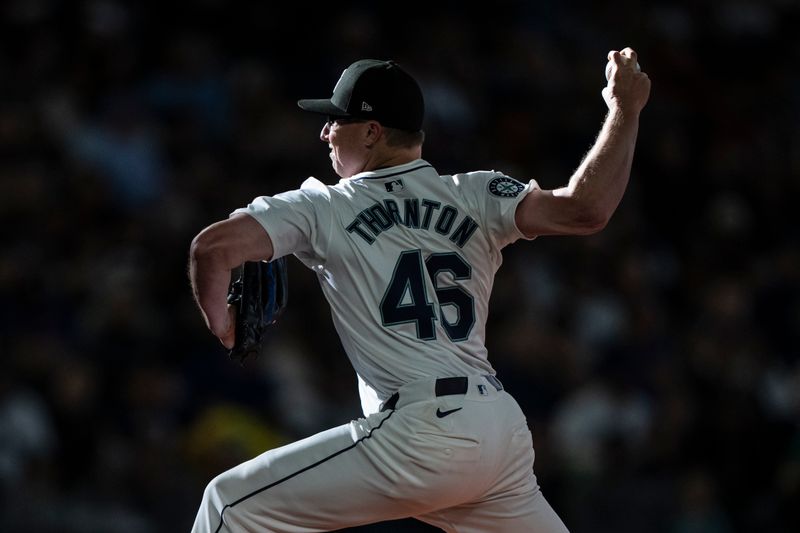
[[406, 258]]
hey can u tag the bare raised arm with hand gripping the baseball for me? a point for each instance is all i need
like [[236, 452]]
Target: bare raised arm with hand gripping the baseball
[[594, 191]]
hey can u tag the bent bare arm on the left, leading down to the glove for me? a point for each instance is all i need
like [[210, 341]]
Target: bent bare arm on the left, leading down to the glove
[[216, 251]]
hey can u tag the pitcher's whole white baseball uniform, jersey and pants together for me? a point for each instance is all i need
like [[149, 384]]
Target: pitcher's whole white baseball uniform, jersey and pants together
[[406, 259]]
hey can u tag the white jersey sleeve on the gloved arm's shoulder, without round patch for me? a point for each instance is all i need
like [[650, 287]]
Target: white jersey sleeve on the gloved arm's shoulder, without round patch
[[296, 221]]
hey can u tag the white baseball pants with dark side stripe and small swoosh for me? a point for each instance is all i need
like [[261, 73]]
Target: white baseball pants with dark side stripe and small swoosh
[[460, 461]]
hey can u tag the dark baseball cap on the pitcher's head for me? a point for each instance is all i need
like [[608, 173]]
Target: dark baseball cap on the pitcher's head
[[374, 90]]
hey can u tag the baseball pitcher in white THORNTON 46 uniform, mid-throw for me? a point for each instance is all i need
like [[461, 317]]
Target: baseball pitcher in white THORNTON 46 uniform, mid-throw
[[406, 258]]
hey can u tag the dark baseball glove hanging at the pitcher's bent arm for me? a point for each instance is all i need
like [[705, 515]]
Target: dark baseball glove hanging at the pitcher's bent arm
[[259, 295]]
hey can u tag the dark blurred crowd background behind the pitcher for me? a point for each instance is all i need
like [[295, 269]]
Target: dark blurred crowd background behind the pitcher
[[658, 361]]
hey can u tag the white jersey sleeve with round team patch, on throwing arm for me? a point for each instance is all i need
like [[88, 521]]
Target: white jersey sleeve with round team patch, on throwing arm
[[496, 197]]
